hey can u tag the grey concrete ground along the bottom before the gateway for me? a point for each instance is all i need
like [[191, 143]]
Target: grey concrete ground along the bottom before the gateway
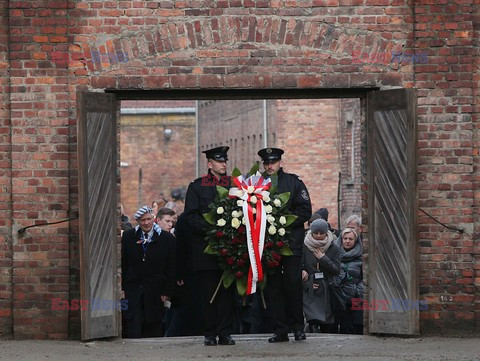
[[250, 347]]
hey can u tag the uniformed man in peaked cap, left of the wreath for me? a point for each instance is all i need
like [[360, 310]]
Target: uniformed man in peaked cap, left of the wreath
[[218, 315]]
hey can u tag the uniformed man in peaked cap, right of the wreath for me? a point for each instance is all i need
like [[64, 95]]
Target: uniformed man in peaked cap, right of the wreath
[[284, 287]]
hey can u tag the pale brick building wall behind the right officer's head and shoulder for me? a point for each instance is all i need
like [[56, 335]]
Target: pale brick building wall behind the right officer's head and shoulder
[[308, 131]]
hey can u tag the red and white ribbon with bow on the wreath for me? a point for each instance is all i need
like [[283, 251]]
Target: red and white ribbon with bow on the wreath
[[253, 190]]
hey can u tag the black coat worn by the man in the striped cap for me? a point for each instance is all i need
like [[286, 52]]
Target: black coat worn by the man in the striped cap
[[154, 277]]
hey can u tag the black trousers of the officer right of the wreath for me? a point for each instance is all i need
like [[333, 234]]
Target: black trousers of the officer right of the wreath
[[285, 297]]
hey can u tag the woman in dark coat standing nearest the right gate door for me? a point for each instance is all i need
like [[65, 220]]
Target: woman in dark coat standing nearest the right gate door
[[351, 278]]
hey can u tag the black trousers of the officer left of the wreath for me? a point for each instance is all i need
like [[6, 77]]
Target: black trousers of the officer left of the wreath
[[218, 315]]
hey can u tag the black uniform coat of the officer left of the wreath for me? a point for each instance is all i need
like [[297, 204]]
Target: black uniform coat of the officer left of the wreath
[[200, 193]]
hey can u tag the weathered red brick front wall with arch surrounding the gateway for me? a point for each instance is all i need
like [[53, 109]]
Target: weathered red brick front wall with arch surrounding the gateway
[[227, 45]]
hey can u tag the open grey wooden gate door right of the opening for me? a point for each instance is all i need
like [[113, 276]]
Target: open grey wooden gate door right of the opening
[[392, 207]]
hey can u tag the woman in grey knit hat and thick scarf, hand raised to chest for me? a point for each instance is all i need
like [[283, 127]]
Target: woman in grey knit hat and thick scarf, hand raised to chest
[[321, 264]]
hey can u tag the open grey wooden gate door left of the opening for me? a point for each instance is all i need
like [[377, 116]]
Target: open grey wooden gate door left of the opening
[[97, 173]]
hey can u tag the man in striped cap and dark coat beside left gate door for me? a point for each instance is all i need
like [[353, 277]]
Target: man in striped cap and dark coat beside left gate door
[[148, 275]]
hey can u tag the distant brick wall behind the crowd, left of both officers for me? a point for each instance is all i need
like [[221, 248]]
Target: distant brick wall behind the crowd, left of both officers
[[164, 164]]
